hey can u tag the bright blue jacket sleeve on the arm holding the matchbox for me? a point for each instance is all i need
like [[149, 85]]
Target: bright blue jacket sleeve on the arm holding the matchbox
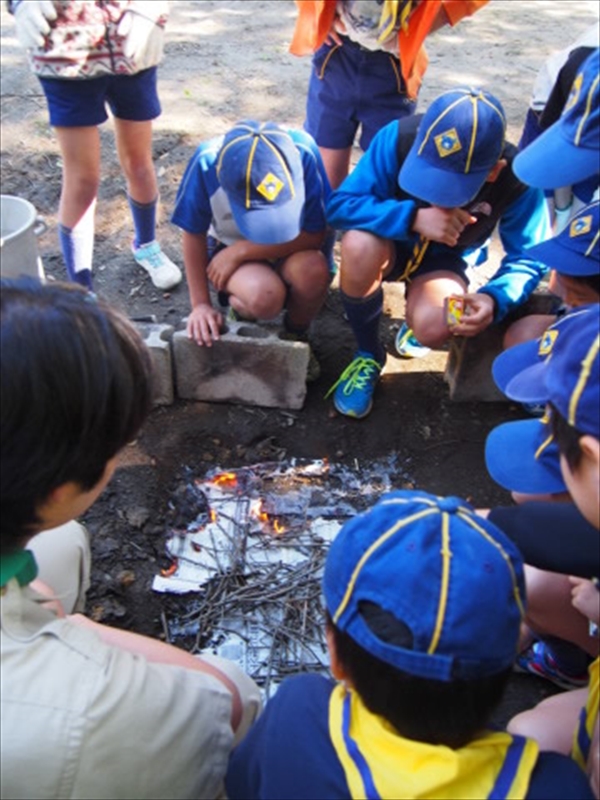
[[524, 223]]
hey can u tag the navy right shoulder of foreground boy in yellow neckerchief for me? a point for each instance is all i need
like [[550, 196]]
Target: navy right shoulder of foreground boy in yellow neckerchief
[[558, 777]]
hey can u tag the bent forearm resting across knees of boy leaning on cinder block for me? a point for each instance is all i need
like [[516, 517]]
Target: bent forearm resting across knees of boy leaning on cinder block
[[227, 261]]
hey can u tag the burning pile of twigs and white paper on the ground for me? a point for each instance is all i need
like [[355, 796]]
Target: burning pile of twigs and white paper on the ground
[[251, 557]]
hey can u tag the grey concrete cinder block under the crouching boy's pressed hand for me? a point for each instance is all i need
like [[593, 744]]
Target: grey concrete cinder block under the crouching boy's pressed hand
[[250, 365]]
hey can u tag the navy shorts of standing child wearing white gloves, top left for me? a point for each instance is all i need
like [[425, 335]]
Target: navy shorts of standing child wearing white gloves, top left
[[78, 103]]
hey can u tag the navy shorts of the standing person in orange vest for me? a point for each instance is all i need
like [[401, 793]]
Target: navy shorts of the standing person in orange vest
[[351, 86]]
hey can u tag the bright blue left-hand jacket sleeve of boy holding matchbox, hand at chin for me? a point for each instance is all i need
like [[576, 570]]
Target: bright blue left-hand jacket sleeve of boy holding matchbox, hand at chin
[[366, 200]]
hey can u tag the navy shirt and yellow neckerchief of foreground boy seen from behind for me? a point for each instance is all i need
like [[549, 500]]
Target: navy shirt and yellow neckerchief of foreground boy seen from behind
[[302, 747]]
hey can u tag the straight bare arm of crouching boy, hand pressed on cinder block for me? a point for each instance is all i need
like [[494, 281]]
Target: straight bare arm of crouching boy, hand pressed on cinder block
[[204, 321]]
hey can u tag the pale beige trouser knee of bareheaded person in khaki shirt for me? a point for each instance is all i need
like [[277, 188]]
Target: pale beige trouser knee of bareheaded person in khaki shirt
[[64, 560]]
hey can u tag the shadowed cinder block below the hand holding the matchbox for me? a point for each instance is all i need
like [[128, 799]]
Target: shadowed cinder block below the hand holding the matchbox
[[469, 366]]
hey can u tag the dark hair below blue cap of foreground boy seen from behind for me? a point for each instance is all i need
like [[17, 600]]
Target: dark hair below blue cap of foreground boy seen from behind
[[437, 712]]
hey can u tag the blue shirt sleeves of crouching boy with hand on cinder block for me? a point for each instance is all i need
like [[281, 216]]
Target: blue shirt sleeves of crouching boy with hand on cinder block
[[202, 206]]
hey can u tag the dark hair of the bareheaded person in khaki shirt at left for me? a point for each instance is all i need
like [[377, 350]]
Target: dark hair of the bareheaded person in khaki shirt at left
[[75, 388]]
